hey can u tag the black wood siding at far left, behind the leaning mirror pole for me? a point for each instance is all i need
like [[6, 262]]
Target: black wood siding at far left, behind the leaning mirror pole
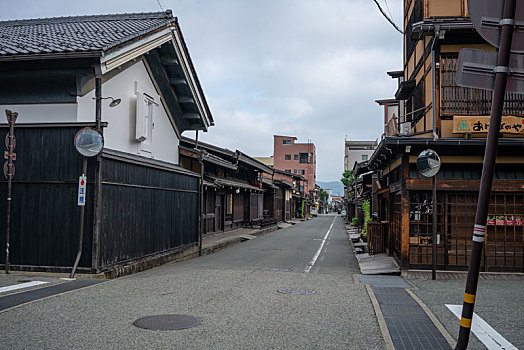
[[44, 214]]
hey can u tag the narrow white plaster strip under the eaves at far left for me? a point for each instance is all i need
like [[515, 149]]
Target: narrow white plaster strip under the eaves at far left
[[39, 113]]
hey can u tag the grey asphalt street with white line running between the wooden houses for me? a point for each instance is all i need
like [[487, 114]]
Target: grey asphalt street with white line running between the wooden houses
[[238, 303]]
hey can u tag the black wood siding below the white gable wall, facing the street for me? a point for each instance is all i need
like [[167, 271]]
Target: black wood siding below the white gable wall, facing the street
[[146, 211]]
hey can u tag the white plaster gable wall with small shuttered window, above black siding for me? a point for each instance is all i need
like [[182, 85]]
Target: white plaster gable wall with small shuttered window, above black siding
[[120, 133]]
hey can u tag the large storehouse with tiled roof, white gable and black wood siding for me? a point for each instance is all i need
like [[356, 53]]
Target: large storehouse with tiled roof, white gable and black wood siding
[[59, 75]]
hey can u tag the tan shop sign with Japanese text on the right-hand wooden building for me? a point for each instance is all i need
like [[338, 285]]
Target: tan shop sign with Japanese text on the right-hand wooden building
[[467, 124]]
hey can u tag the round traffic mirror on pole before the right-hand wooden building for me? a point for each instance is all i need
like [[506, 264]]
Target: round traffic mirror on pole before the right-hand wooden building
[[428, 165]]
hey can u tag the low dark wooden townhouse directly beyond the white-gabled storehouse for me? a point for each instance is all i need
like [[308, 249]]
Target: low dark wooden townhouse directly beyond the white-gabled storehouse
[[235, 193]]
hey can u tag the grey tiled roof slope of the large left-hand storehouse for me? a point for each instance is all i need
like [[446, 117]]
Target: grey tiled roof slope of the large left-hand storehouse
[[77, 34]]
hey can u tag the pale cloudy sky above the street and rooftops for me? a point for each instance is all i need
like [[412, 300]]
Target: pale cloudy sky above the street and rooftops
[[306, 68]]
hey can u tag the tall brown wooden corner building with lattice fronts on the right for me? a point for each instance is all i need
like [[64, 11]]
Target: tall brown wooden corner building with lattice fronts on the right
[[438, 114]]
